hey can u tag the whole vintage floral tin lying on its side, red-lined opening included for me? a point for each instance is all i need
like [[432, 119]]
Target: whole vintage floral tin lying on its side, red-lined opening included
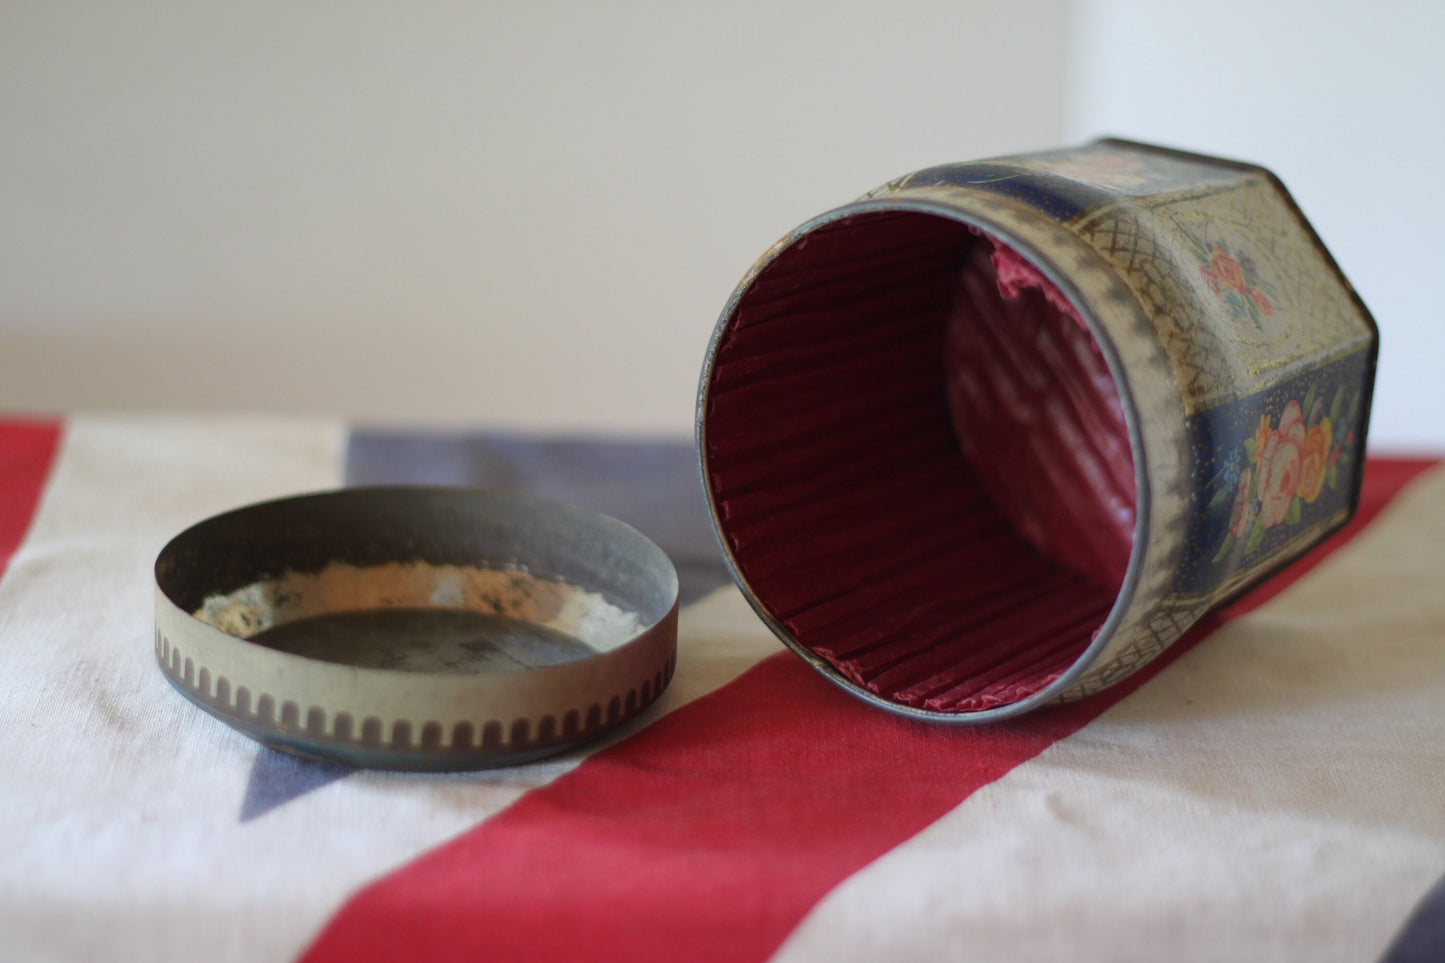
[[998, 435]]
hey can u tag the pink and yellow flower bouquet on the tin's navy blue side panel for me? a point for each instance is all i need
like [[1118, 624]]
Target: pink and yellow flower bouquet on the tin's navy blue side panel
[[1285, 468]]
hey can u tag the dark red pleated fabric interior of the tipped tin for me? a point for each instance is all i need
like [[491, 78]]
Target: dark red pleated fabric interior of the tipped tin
[[920, 462]]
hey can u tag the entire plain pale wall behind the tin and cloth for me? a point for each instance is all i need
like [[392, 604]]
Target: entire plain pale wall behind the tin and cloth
[[531, 215]]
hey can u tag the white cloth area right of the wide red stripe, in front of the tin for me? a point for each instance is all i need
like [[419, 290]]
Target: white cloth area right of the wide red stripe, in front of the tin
[[1277, 795]]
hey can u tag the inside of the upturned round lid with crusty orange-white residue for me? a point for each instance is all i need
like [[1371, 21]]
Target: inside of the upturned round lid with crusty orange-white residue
[[421, 581]]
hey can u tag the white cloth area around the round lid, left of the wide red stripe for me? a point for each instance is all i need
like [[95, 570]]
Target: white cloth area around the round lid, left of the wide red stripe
[[119, 800]]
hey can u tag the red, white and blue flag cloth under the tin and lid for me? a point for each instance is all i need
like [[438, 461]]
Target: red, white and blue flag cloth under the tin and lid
[[1272, 789]]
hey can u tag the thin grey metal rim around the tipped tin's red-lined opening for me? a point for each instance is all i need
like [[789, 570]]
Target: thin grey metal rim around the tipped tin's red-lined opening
[[1064, 281]]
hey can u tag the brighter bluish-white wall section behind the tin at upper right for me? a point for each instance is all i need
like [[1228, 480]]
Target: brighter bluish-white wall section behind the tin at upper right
[[1346, 103]]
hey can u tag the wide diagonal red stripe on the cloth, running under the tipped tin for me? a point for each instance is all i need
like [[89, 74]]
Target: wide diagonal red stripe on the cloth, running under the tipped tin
[[712, 834]]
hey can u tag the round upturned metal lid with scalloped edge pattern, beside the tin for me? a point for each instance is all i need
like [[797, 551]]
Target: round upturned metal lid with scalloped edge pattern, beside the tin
[[554, 569]]
